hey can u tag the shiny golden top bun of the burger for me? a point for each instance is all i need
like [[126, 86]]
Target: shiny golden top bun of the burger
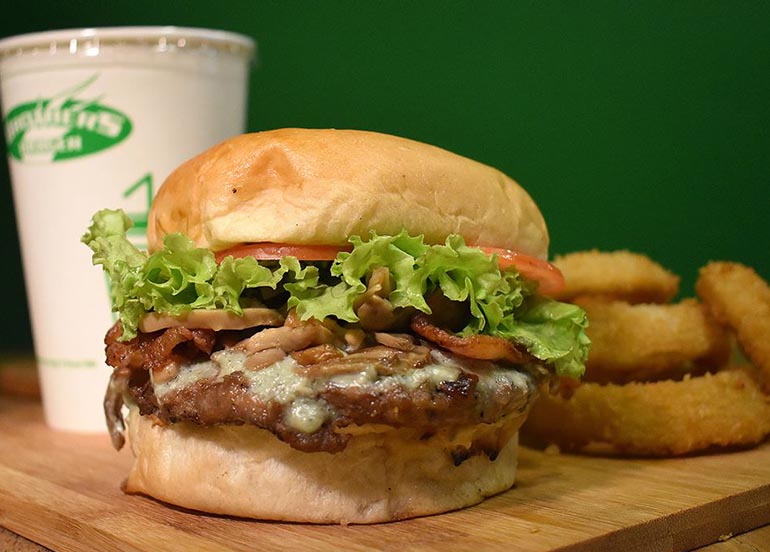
[[301, 186]]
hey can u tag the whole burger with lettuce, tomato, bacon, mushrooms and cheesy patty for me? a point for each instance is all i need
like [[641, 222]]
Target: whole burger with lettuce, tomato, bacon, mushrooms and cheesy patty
[[330, 326]]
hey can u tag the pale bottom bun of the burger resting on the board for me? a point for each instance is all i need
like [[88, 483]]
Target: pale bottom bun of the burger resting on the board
[[383, 474]]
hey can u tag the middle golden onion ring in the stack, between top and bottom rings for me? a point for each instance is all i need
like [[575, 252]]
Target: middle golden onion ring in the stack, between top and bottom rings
[[650, 341]]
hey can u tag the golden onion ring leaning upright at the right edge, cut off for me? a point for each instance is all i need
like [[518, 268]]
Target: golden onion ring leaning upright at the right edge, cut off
[[739, 297]]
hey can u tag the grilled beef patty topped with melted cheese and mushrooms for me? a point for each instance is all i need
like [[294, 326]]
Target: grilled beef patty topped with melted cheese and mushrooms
[[315, 396]]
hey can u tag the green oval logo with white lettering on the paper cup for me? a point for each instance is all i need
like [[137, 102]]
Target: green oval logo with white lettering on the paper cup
[[64, 126]]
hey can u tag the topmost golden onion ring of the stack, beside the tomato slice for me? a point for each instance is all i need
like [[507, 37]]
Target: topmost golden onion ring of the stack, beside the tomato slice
[[625, 275]]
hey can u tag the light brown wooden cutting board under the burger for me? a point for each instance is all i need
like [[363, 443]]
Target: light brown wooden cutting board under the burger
[[63, 491]]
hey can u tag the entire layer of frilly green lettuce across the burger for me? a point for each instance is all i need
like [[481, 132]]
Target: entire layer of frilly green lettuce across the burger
[[181, 277]]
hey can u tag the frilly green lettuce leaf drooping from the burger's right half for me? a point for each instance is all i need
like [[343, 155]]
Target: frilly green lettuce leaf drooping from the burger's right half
[[501, 303]]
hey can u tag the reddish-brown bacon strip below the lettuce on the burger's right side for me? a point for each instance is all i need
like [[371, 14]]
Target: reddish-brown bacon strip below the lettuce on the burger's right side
[[482, 347]]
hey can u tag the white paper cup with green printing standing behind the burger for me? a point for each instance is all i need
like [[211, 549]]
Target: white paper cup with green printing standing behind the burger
[[98, 118]]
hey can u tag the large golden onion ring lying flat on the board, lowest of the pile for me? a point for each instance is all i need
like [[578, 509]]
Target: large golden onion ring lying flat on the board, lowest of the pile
[[666, 418]]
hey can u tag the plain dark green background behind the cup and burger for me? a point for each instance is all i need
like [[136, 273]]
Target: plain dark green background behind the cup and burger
[[643, 126]]
